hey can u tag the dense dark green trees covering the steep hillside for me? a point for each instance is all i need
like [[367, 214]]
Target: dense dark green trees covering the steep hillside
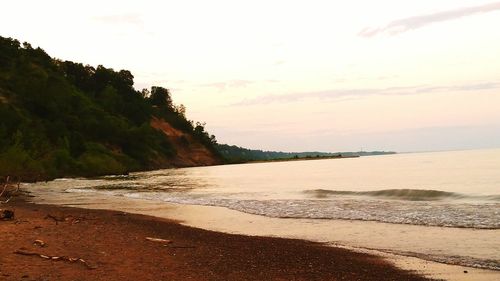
[[60, 118]]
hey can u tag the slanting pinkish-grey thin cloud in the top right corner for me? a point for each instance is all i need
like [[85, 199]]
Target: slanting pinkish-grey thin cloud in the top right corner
[[410, 23]]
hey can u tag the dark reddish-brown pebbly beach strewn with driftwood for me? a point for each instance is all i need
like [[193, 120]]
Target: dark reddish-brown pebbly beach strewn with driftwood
[[114, 243]]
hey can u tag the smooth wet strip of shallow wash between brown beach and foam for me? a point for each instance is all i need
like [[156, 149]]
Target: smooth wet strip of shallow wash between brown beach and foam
[[401, 245]]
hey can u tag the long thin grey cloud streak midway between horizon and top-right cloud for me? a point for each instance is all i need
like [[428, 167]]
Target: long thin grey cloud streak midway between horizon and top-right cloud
[[359, 93]]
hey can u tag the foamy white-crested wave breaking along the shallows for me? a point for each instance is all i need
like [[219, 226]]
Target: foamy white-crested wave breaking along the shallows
[[413, 209]]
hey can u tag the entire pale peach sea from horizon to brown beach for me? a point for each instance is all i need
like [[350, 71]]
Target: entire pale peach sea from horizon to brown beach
[[438, 206]]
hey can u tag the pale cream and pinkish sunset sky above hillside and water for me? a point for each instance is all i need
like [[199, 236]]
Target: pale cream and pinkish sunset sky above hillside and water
[[296, 75]]
